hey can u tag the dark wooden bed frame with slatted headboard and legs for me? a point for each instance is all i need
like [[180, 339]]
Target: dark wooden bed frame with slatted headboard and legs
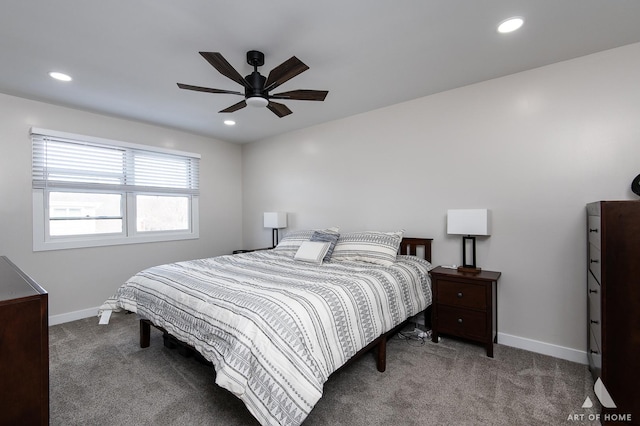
[[407, 246]]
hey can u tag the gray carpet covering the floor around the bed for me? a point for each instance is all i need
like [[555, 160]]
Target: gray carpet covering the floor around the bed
[[100, 376]]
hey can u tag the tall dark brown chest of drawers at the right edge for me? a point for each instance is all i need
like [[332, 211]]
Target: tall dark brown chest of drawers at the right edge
[[613, 308]]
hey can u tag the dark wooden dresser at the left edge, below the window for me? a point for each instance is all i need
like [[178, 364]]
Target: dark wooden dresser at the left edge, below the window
[[24, 348]]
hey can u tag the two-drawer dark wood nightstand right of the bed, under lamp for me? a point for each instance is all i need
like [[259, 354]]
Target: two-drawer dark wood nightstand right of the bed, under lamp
[[465, 305]]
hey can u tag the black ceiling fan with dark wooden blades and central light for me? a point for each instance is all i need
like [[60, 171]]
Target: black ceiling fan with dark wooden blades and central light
[[256, 86]]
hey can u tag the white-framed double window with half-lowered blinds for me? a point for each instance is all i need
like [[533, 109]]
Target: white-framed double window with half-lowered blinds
[[92, 192]]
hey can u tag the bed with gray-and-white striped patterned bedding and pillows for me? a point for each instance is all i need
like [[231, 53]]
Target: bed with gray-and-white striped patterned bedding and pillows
[[277, 323]]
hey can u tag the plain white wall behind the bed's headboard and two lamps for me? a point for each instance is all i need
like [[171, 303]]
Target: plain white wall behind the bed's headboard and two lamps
[[533, 147]]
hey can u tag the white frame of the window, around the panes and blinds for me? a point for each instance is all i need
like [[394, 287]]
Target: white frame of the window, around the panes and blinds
[[42, 240]]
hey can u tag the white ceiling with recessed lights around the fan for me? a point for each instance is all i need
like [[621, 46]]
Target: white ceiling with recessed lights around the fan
[[126, 56]]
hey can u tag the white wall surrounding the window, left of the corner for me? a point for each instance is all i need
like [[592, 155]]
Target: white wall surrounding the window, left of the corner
[[80, 279]]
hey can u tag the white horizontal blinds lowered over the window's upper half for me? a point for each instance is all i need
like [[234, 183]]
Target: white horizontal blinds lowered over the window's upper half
[[86, 163]]
